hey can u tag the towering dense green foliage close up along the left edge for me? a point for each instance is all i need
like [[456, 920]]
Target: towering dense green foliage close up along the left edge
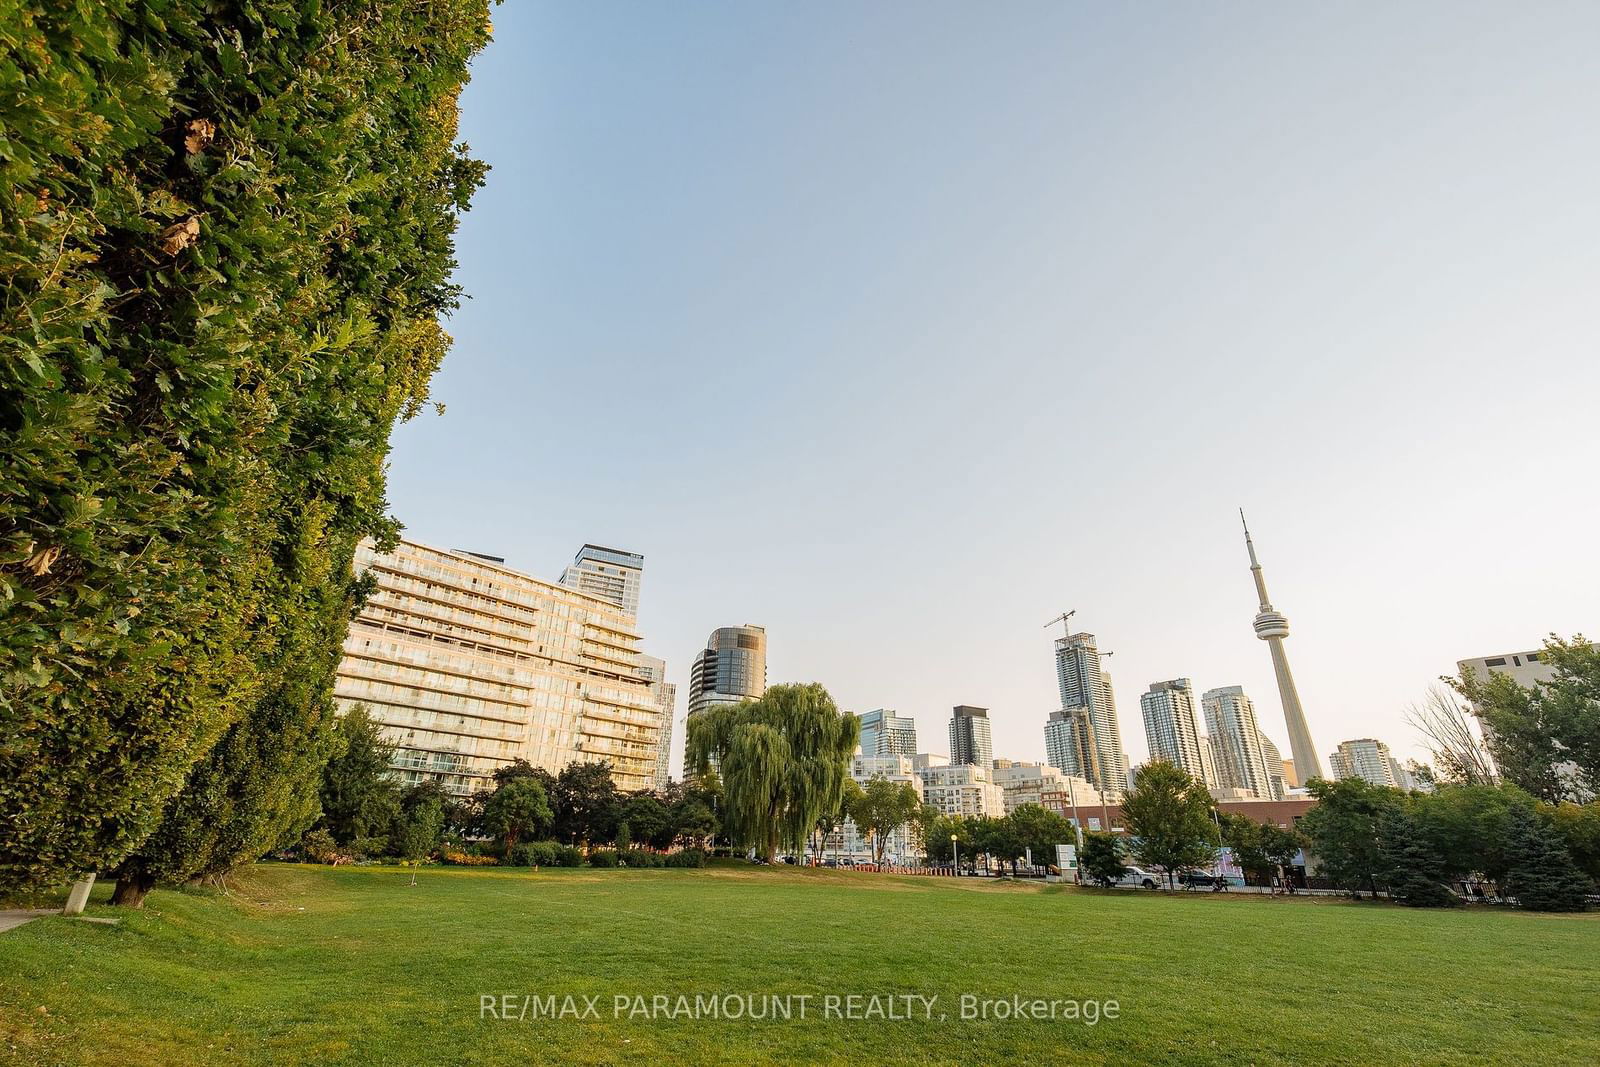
[[226, 241]]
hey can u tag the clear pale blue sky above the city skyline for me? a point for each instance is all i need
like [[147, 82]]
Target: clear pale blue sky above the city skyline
[[902, 329]]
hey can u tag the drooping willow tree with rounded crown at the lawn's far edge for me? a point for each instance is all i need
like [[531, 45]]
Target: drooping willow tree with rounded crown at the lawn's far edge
[[783, 761]]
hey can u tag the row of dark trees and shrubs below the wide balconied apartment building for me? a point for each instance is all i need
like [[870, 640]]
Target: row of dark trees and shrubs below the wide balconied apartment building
[[529, 818]]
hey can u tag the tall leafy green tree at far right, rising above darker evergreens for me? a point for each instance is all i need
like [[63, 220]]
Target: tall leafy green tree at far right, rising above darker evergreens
[[1545, 738]]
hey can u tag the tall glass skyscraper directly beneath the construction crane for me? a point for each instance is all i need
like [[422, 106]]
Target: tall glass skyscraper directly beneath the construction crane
[[1089, 705]]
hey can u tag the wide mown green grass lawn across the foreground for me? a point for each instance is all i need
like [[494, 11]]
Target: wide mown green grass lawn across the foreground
[[313, 965]]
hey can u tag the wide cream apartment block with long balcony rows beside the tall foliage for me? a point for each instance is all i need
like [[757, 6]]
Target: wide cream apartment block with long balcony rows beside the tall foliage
[[470, 666]]
